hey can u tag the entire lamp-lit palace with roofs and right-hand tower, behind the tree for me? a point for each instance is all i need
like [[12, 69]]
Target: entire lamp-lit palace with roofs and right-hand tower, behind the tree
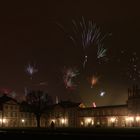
[[70, 114]]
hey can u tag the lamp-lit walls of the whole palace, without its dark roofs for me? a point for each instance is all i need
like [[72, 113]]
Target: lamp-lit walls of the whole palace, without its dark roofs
[[69, 117]]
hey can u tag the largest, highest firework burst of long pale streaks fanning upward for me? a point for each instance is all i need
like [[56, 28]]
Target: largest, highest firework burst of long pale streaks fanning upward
[[88, 31]]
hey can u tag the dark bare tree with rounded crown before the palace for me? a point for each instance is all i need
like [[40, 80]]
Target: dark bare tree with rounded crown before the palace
[[38, 101]]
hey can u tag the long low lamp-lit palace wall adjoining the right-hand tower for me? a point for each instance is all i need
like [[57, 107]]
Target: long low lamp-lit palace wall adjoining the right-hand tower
[[103, 117]]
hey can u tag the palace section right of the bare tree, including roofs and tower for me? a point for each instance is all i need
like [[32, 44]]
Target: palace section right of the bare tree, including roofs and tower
[[74, 115]]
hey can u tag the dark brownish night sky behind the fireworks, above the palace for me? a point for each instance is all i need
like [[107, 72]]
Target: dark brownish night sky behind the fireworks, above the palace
[[29, 34]]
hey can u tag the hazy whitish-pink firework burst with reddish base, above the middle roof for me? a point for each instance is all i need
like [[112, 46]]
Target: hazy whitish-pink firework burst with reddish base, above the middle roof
[[68, 77]]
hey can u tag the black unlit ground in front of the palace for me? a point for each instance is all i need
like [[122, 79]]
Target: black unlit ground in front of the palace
[[72, 133]]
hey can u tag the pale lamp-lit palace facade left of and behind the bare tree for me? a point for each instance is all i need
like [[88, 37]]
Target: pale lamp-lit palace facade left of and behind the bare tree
[[12, 116]]
